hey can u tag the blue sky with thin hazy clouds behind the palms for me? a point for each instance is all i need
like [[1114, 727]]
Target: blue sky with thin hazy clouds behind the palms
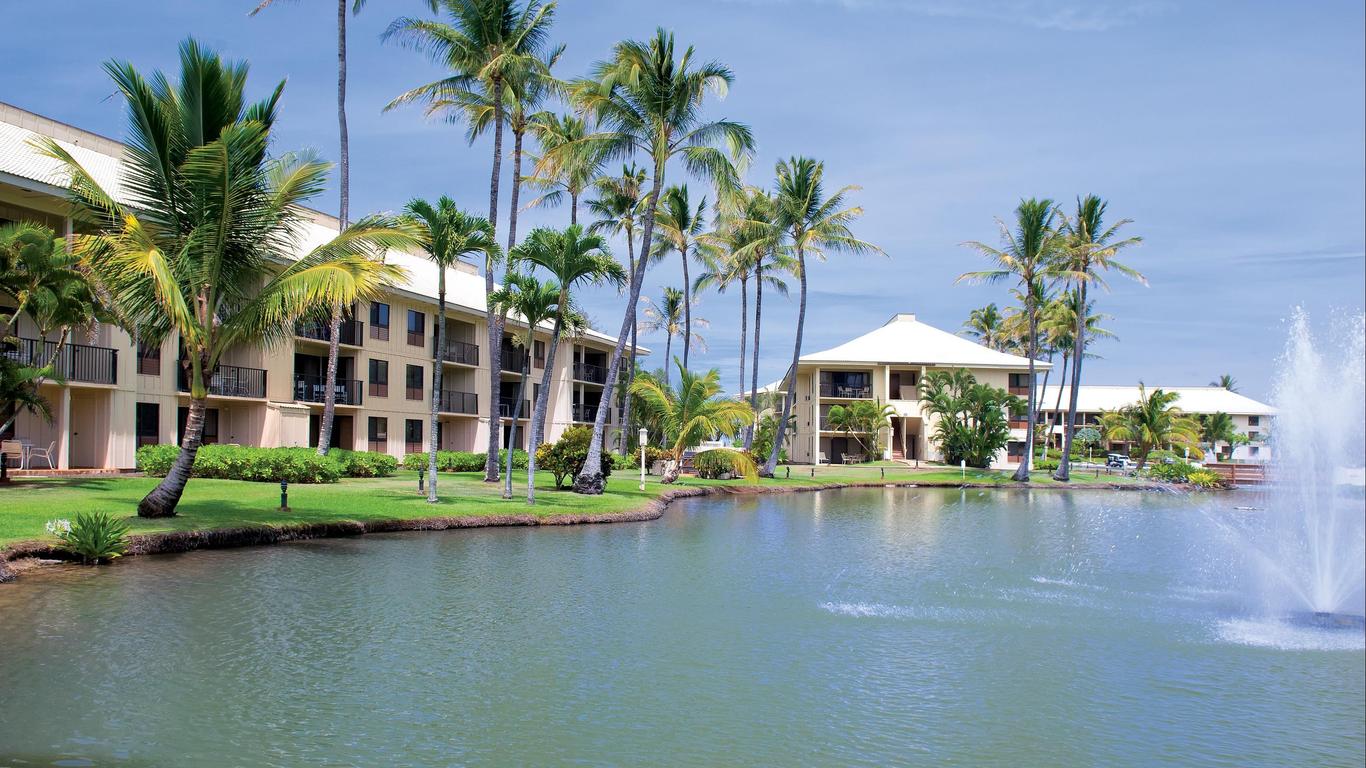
[[1233, 135]]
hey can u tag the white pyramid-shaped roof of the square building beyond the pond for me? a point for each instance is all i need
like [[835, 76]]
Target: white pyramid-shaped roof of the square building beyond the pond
[[905, 341]]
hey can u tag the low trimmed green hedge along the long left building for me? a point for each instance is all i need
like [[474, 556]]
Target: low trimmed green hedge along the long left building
[[270, 465]]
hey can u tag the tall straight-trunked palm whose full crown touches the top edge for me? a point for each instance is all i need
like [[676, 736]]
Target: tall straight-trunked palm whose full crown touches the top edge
[[484, 44]]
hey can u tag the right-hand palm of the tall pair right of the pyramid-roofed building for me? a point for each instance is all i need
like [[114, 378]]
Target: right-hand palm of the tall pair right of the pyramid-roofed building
[[1091, 249]]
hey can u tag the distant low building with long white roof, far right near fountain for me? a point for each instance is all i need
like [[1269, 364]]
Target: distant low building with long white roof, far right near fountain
[[1249, 416]]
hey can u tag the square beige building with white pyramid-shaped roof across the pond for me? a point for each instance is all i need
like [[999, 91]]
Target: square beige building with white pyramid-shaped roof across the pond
[[889, 366]]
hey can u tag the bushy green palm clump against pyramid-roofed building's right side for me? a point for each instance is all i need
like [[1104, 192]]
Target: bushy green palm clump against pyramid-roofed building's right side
[[971, 417]]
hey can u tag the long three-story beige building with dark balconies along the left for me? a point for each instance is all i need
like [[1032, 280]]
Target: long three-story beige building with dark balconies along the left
[[120, 394]]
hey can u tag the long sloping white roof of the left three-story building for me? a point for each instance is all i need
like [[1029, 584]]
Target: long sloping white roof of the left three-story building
[[102, 158]]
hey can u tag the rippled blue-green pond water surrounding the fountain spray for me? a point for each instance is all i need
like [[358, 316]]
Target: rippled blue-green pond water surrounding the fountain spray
[[861, 628]]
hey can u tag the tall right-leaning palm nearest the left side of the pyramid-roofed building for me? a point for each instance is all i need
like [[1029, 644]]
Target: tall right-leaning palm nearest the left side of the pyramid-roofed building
[[811, 223]]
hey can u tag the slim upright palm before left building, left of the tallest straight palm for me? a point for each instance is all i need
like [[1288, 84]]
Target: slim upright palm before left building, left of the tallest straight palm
[[450, 236]]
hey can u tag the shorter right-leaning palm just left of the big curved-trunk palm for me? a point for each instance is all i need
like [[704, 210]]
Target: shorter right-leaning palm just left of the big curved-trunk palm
[[573, 259]]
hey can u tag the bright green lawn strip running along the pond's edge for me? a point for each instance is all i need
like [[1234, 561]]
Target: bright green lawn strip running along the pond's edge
[[227, 504]]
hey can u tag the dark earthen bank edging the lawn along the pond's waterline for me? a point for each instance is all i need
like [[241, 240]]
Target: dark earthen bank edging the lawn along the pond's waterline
[[27, 557]]
